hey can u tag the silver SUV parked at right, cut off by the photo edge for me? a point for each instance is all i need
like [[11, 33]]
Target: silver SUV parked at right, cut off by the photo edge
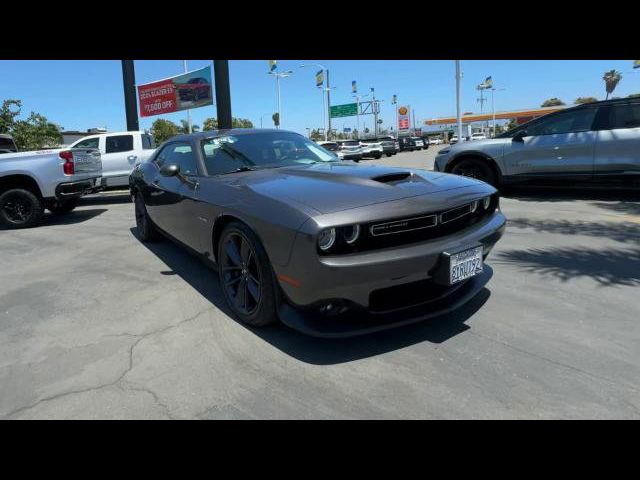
[[595, 142]]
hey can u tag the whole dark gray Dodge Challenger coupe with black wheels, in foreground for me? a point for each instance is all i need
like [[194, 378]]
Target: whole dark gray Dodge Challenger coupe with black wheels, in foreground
[[331, 248]]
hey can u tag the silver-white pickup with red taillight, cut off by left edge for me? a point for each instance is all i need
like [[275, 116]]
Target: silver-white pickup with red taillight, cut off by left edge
[[53, 179]]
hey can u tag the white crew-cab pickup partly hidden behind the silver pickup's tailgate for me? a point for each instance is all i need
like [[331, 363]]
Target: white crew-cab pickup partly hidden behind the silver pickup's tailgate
[[120, 151]]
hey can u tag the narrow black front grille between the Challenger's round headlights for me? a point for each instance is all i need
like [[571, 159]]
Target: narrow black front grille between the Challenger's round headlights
[[415, 229]]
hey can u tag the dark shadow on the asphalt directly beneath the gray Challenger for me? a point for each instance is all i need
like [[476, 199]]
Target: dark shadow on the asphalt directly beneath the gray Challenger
[[318, 351]]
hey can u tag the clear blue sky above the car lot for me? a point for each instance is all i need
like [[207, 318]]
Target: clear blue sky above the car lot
[[82, 94]]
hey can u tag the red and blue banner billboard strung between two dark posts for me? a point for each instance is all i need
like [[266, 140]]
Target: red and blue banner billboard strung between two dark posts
[[182, 92]]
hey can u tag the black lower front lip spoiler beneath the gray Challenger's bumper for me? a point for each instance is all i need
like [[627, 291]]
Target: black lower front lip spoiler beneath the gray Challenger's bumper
[[361, 323]]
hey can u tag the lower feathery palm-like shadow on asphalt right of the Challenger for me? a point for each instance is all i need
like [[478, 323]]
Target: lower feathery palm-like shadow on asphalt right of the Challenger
[[608, 267]]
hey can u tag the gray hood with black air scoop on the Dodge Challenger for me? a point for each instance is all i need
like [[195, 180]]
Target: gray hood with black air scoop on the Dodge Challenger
[[337, 186]]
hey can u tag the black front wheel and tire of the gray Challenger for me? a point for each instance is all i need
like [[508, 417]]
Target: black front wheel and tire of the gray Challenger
[[246, 276]]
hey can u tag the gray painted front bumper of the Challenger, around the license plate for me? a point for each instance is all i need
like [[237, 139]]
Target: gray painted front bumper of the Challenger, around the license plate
[[355, 278]]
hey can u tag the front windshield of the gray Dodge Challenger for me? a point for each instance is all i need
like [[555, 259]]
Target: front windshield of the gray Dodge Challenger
[[232, 153]]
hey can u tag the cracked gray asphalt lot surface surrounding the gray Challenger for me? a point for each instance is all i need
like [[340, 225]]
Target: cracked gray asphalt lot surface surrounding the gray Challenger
[[95, 324]]
